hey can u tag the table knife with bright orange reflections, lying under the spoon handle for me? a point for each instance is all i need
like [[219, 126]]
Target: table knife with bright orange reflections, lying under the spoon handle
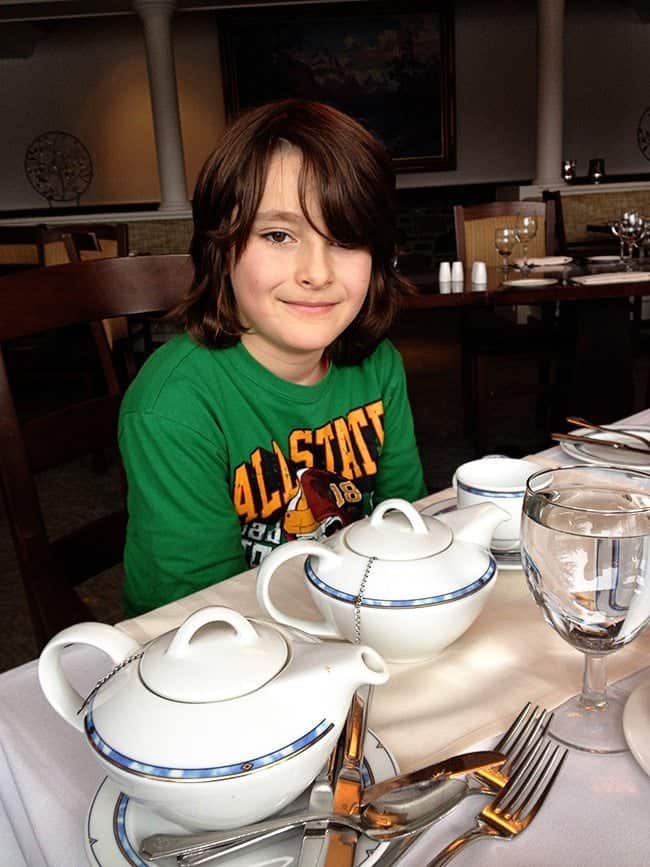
[[349, 783]]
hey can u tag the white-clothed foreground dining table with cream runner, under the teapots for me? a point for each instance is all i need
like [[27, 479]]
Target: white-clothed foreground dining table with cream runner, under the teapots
[[597, 815]]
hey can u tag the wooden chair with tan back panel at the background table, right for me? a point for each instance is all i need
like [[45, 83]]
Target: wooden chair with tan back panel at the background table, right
[[493, 339]]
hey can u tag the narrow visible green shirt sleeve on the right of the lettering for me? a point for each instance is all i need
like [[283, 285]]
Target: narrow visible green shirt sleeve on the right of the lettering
[[400, 468]]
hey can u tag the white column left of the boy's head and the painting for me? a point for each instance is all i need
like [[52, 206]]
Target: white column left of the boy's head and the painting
[[156, 17]]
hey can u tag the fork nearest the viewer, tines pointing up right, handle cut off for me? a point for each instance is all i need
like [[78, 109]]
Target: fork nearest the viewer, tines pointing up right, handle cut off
[[516, 805]]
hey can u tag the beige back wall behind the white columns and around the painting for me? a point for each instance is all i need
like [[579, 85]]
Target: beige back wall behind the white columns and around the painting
[[89, 77]]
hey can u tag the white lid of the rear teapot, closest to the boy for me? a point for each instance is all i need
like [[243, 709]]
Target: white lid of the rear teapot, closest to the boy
[[401, 537]]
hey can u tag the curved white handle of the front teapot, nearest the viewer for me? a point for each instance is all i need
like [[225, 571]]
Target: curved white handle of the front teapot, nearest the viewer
[[65, 700]]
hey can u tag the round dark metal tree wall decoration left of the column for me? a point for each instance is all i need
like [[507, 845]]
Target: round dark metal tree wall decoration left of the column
[[58, 166]]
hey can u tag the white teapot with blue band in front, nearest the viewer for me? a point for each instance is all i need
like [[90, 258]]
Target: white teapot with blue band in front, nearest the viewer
[[219, 723]]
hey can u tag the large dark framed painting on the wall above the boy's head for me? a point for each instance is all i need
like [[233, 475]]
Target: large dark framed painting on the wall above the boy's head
[[391, 69]]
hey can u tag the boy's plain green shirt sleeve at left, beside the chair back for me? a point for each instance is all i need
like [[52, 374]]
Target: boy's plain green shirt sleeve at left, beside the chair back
[[183, 533]]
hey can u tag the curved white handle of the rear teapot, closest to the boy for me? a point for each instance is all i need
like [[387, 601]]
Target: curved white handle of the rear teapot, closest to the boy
[[268, 567]]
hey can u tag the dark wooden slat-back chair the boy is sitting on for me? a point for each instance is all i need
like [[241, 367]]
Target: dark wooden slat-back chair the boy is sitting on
[[41, 300]]
